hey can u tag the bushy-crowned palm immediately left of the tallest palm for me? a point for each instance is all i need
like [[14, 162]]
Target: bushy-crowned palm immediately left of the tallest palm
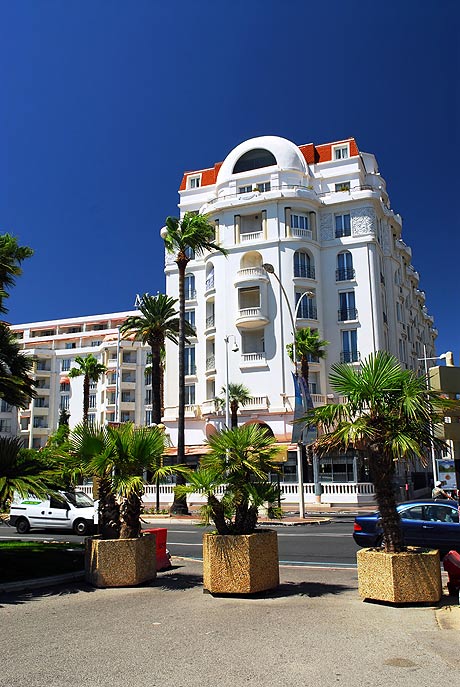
[[157, 322]]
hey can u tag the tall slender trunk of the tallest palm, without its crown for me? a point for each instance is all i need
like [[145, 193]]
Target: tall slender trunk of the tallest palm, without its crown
[[179, 506]]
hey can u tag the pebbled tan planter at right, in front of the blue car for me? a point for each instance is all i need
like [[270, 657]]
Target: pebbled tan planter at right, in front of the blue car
[[410, 577]]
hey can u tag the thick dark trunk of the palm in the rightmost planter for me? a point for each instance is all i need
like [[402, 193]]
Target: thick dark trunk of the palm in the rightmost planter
[[382, 473]]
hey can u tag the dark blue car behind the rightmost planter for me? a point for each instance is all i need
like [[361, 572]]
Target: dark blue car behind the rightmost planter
[[427, 522]]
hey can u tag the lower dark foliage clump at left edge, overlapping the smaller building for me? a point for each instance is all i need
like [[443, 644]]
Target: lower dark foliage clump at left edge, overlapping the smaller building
[[16, 385]]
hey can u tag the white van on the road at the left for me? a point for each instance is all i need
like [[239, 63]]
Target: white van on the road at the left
[[72, 510]]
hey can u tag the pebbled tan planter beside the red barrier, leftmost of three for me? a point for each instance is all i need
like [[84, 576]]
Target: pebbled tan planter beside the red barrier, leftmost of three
[[120, 562]]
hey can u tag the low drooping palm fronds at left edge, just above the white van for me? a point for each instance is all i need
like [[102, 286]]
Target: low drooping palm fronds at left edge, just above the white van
[[21, 471]]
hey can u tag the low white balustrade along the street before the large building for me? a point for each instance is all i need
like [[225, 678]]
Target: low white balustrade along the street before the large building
[[332, 492]]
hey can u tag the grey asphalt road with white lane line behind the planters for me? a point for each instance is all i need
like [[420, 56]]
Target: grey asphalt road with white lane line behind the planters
[[327, 545]]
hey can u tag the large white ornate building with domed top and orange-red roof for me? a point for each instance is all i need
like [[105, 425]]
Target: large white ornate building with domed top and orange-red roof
[[321, 216]]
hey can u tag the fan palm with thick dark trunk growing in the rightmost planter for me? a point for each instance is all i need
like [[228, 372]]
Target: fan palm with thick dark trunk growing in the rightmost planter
[[388, 416]]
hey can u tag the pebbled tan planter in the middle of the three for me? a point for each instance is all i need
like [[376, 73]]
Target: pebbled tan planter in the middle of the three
[[240, 564]]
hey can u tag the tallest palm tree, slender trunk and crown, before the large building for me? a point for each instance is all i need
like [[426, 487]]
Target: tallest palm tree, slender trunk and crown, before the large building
[[193, 233]]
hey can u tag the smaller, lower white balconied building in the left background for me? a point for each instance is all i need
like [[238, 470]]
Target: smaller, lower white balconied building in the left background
[[123, 394]]
